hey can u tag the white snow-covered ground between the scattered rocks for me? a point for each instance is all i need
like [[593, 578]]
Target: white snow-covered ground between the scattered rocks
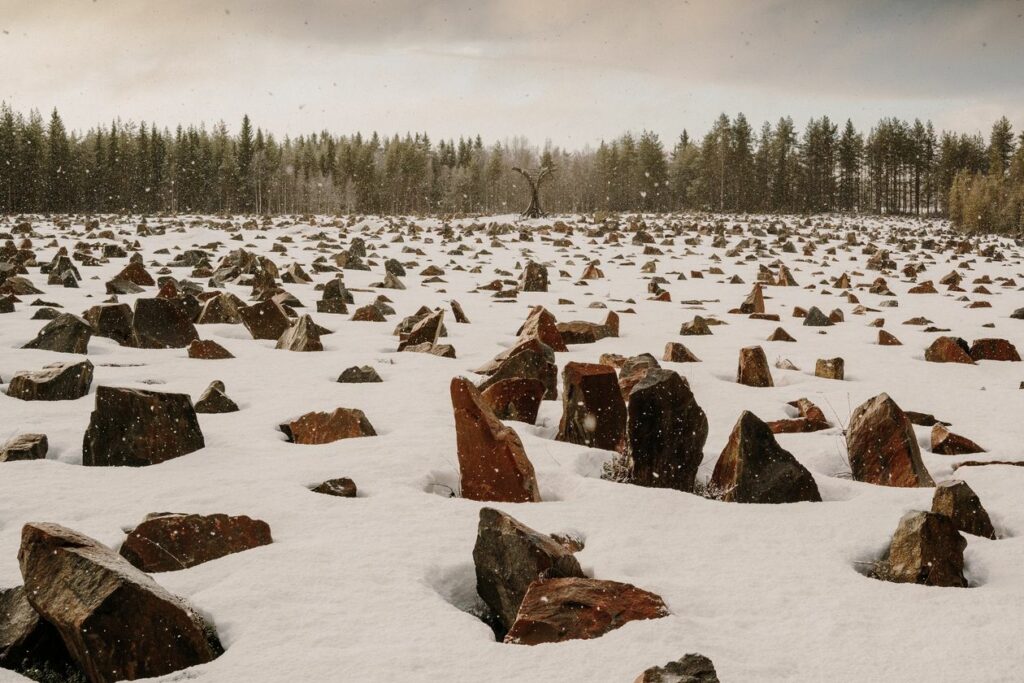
[[378, 588]]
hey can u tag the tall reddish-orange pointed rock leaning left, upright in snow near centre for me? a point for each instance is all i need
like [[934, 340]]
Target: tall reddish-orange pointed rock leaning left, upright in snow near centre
[[493, 464]]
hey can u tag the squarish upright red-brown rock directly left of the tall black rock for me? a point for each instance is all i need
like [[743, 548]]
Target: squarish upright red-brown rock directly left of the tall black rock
[[593, 410]]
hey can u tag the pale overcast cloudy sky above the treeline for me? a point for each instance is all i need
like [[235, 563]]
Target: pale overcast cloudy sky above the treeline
[[567, 71]]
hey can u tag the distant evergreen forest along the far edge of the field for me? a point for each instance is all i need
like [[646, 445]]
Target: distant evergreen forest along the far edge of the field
[[895, 168]]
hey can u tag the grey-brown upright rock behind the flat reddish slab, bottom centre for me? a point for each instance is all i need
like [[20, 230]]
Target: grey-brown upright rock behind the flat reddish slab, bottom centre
[[509, 557]]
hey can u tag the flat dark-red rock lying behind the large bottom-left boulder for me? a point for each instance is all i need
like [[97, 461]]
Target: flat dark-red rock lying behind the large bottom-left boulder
[[173, 542]]
